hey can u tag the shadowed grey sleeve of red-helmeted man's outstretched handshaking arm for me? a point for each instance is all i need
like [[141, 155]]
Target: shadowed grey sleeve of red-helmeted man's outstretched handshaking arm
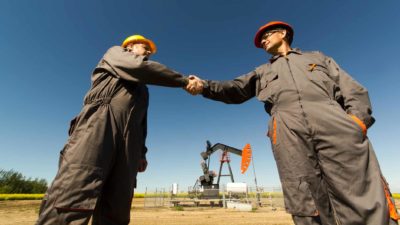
[[234, 91]]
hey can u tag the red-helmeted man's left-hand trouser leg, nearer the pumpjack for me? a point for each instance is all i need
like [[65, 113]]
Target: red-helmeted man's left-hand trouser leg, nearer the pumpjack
[[305, 193]]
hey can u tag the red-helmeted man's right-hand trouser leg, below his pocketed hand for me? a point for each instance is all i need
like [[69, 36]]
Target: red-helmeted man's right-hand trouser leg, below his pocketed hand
[[355, 186]]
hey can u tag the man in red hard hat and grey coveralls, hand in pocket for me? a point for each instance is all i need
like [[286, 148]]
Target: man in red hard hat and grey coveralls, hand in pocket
[[318, 126]]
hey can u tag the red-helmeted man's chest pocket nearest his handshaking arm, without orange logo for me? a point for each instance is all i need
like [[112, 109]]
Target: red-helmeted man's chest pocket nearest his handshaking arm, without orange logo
[[269, 87]]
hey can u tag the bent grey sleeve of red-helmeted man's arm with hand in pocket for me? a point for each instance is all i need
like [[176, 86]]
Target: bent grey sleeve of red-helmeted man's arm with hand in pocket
[[355, 96]]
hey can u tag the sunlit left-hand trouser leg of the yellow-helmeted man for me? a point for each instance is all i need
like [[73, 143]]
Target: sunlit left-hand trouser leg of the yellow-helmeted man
[[84, 164]]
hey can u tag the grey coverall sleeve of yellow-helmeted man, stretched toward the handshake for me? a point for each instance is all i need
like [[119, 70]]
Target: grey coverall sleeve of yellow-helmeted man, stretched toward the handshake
[[131, 67]]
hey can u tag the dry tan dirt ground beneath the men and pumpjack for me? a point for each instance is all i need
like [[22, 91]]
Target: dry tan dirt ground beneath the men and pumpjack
[[25, 213]]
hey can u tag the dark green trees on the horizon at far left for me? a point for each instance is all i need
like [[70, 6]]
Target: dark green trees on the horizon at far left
[[12, 182]]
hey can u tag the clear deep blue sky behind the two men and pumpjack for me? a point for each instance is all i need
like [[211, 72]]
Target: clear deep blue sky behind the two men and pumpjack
[[48, 50]]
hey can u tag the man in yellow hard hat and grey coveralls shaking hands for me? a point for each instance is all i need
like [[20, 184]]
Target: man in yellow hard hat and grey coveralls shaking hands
[[106, 145]]
